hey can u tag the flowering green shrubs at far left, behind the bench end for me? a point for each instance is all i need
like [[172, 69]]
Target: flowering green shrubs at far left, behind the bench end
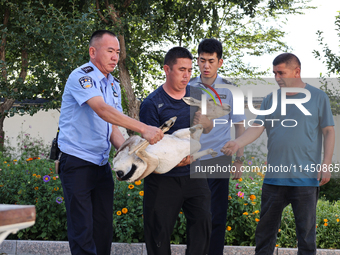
[[32, 182]]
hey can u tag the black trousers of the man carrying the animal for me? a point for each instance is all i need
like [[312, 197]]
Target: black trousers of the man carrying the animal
[[163, 199]]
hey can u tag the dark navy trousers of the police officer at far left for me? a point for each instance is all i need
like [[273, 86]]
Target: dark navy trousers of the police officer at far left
[[88, 191]]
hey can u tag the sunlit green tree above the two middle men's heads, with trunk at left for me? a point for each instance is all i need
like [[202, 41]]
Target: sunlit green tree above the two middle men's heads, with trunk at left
[[145, 28]]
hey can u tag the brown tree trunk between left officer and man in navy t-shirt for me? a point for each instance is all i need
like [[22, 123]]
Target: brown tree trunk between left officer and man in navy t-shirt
[[125, 81]]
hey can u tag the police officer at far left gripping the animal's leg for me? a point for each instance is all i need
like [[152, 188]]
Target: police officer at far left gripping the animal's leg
[[90, 112]]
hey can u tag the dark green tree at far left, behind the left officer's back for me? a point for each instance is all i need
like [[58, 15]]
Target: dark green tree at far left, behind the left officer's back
[[41, 44]]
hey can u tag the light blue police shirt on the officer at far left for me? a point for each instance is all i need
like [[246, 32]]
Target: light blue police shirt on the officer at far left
[[83, 133]]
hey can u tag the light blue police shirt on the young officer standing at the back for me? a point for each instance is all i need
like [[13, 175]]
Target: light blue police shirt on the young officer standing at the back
[[220, 134]]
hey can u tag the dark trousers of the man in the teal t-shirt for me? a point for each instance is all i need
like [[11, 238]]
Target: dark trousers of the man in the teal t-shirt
[[273, 200]]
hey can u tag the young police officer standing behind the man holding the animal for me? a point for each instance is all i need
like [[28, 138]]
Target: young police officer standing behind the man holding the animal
[[209, 61]]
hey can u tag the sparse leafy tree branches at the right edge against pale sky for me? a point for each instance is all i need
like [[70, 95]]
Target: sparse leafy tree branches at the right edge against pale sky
[[332, 61]]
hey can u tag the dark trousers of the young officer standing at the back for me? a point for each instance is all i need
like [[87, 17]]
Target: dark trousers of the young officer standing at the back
[[219, 188]]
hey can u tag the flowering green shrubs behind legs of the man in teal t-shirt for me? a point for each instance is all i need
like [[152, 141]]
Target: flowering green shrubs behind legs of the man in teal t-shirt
[[243, 215]]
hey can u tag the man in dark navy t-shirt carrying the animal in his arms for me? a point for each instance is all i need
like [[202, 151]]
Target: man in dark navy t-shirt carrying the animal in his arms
[[166, 194]]
